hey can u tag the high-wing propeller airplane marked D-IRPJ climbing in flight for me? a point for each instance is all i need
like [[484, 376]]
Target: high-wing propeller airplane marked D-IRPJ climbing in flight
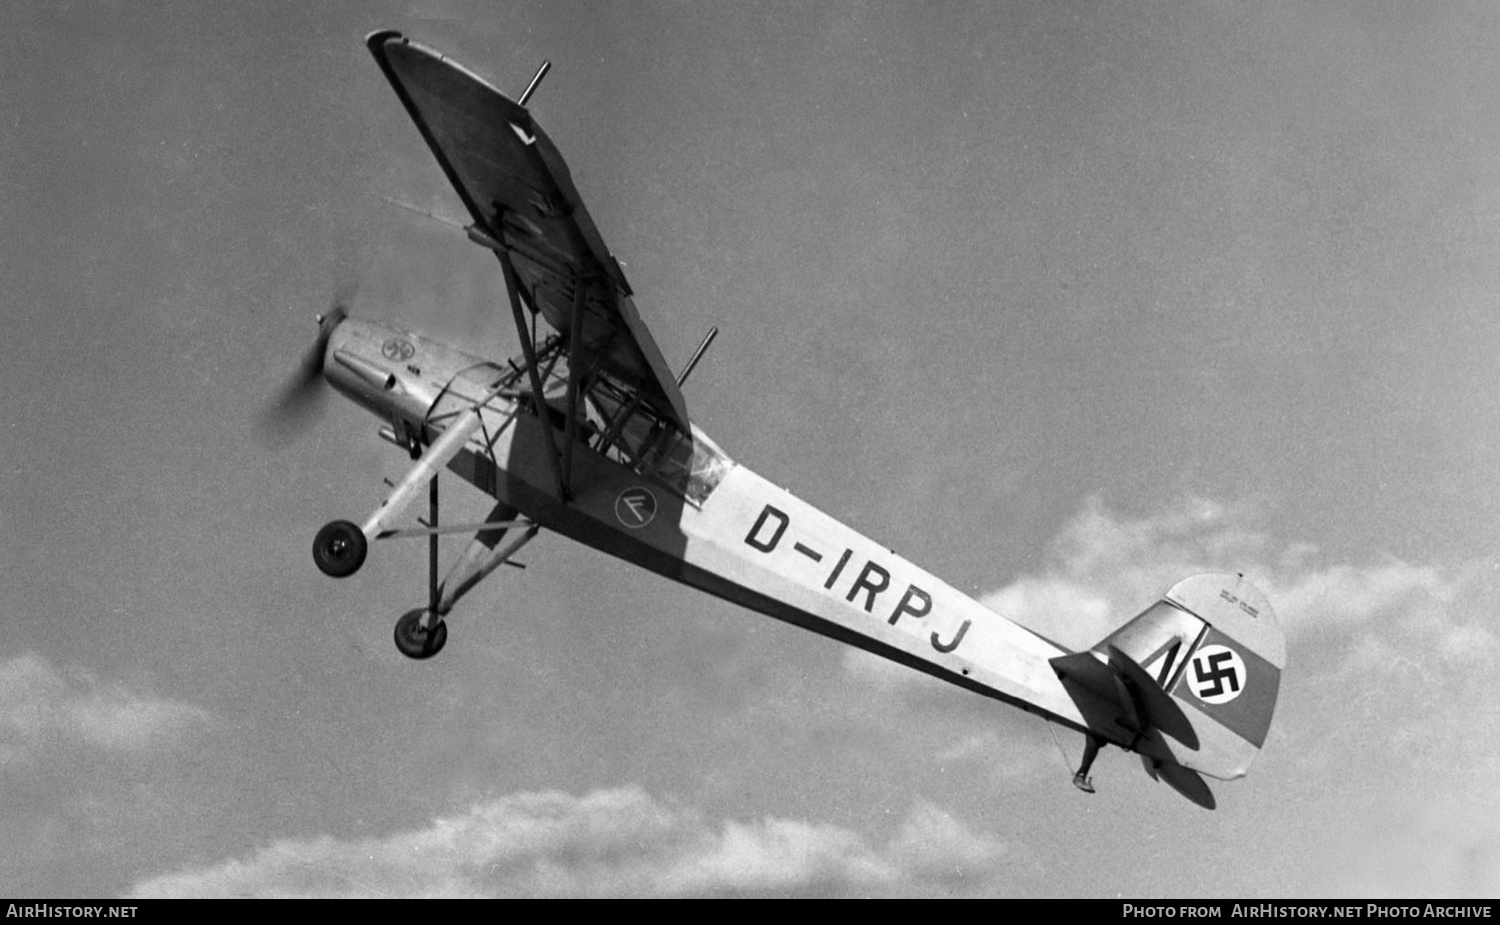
[[587, 436]]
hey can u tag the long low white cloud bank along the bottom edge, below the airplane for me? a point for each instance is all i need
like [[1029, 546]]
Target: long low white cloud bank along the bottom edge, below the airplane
[[610, 843]]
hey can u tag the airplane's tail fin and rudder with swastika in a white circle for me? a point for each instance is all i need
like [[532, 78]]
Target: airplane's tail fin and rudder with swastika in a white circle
[[1202, 668]]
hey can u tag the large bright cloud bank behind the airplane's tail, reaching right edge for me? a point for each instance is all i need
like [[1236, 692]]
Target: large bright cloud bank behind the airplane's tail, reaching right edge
[[1379, 644]]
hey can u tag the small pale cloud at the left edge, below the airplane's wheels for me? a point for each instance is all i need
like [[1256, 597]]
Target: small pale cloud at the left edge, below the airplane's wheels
[[40, 705]]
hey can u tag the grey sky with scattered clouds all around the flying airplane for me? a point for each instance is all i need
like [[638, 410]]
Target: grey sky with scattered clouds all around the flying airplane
[[1061, 301]]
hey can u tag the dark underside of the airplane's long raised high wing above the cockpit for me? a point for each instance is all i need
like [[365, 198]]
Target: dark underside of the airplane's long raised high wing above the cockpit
[[523, 200]]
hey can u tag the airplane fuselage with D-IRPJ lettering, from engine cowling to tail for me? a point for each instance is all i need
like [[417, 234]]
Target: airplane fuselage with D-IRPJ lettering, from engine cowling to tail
[[692, 515]]
